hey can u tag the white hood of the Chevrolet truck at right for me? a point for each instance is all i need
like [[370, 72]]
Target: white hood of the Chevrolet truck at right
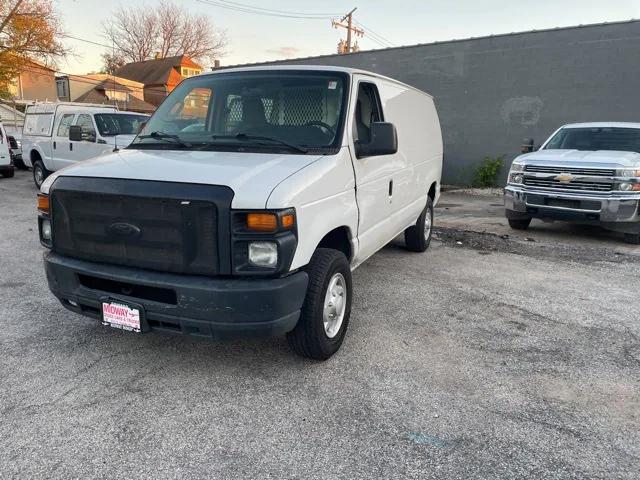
[[605, 158]]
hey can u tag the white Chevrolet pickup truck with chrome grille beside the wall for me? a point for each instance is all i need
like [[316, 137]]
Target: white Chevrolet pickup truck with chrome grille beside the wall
[[584, 172]]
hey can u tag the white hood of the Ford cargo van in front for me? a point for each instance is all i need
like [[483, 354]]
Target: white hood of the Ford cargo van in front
[[252, 176]]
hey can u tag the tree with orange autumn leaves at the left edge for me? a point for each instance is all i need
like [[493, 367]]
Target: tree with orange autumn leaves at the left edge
[[29, 30]]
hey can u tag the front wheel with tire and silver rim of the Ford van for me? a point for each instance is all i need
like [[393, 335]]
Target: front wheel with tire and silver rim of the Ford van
[[326, 308]]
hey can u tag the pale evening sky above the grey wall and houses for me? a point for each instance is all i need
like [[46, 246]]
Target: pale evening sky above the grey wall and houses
[[255, 38]]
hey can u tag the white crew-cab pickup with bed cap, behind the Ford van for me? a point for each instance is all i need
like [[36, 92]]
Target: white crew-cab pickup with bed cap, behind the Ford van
[[59, 134]]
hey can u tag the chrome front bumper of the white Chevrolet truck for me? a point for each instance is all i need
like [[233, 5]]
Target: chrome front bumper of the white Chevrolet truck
[[613, 211]]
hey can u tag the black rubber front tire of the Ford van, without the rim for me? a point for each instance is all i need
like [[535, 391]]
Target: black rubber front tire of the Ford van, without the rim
[[309, 338]]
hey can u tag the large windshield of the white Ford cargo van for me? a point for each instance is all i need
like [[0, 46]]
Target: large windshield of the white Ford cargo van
[[294, 111]]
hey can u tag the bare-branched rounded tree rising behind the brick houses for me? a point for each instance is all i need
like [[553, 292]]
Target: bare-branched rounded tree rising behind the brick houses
[[139, 34]]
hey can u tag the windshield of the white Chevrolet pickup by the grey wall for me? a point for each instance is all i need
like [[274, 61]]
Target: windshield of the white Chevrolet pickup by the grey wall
[[596, 138]]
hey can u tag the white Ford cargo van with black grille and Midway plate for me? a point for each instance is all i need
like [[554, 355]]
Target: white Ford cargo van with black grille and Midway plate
[[244, 205]]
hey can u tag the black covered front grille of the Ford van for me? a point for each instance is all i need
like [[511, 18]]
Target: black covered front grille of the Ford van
[[167, 234]]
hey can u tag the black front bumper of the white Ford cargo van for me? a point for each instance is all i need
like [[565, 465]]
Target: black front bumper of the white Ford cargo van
[[193, 305]]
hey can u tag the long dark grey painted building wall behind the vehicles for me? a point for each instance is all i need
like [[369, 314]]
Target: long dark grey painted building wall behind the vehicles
[[492, 92]]
